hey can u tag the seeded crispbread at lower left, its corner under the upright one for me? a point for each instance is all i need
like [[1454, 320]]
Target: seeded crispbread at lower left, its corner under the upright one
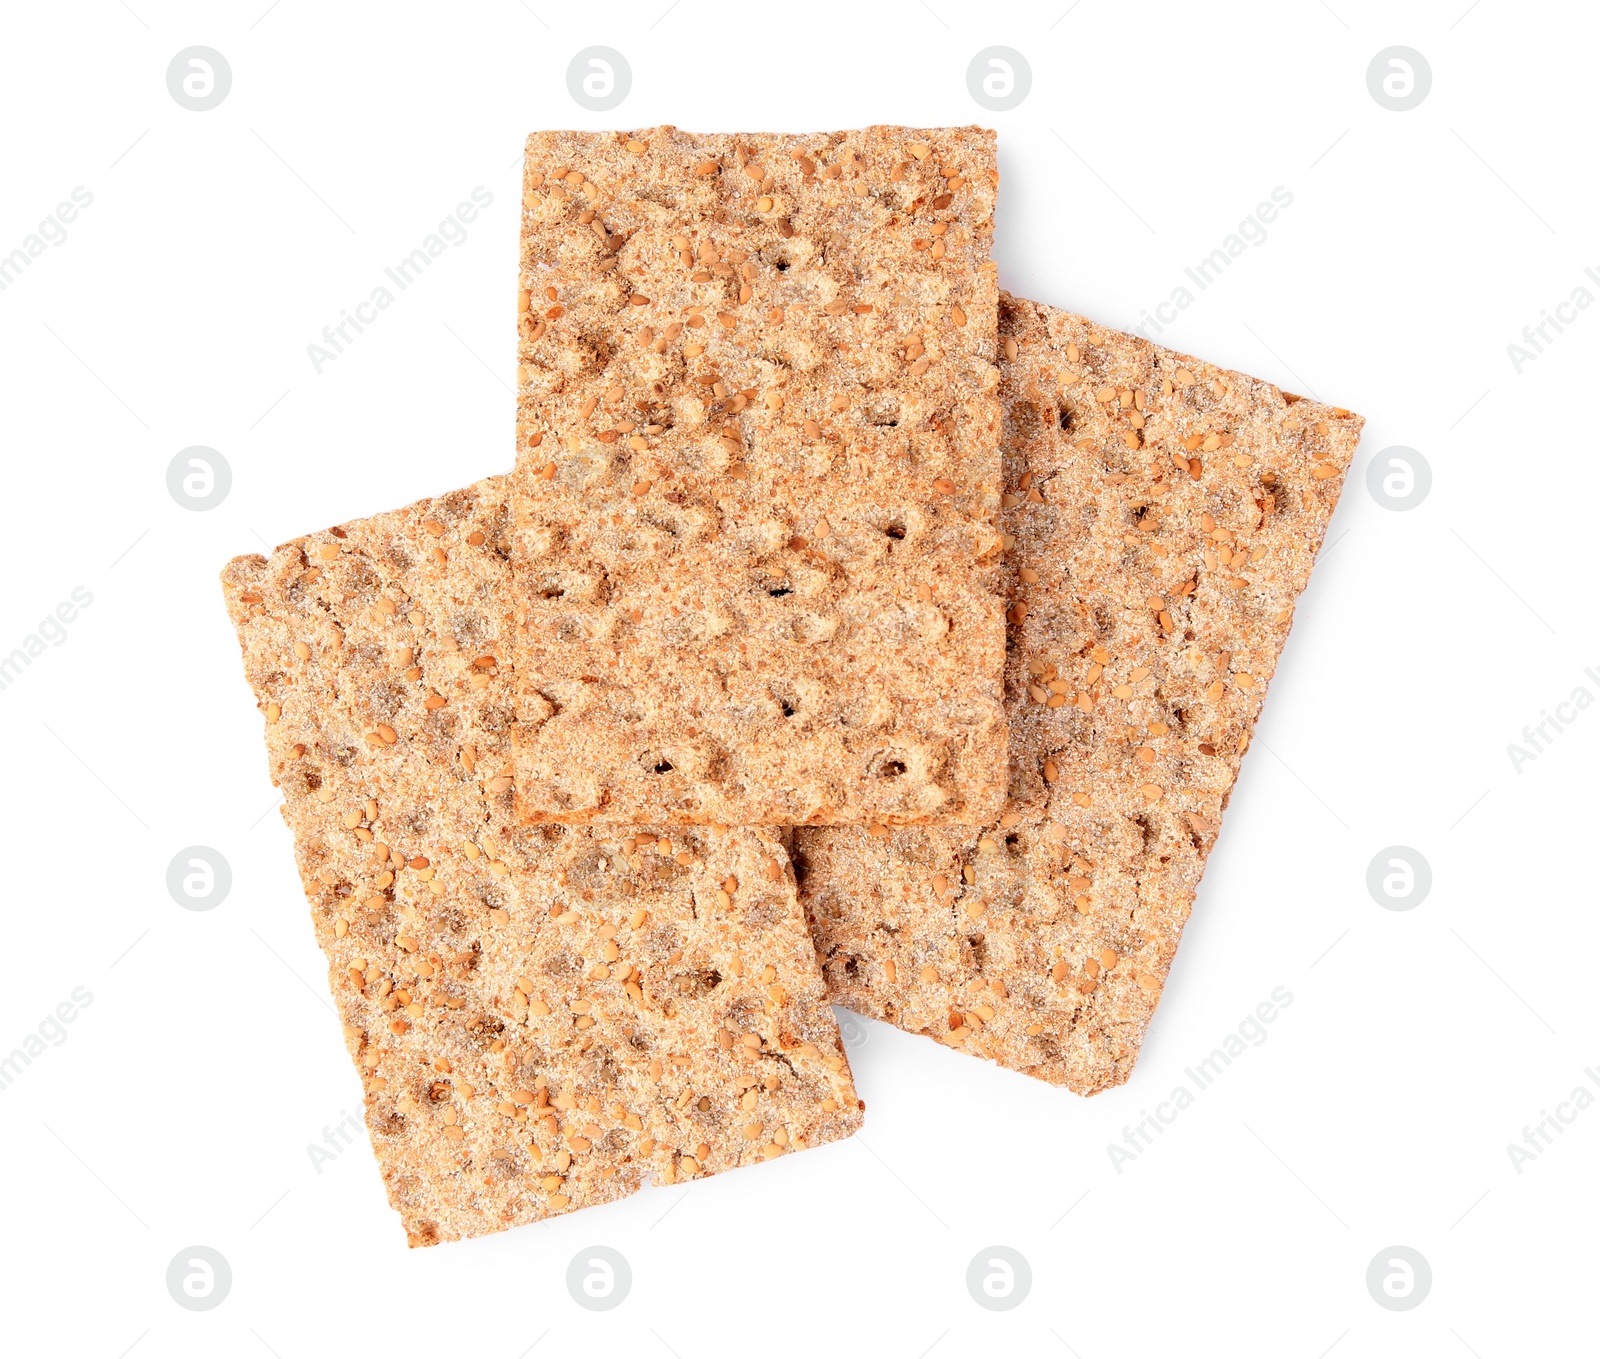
[[543, 1017]]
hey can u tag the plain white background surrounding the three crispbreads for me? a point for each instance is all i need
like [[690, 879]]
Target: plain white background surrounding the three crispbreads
[[1418, 1044]]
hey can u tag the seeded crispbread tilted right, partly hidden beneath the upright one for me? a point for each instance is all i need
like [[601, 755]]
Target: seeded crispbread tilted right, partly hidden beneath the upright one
[[1150, 607]]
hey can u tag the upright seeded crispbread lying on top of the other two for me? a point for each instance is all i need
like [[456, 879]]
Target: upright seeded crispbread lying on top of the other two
[[758, 479]]
